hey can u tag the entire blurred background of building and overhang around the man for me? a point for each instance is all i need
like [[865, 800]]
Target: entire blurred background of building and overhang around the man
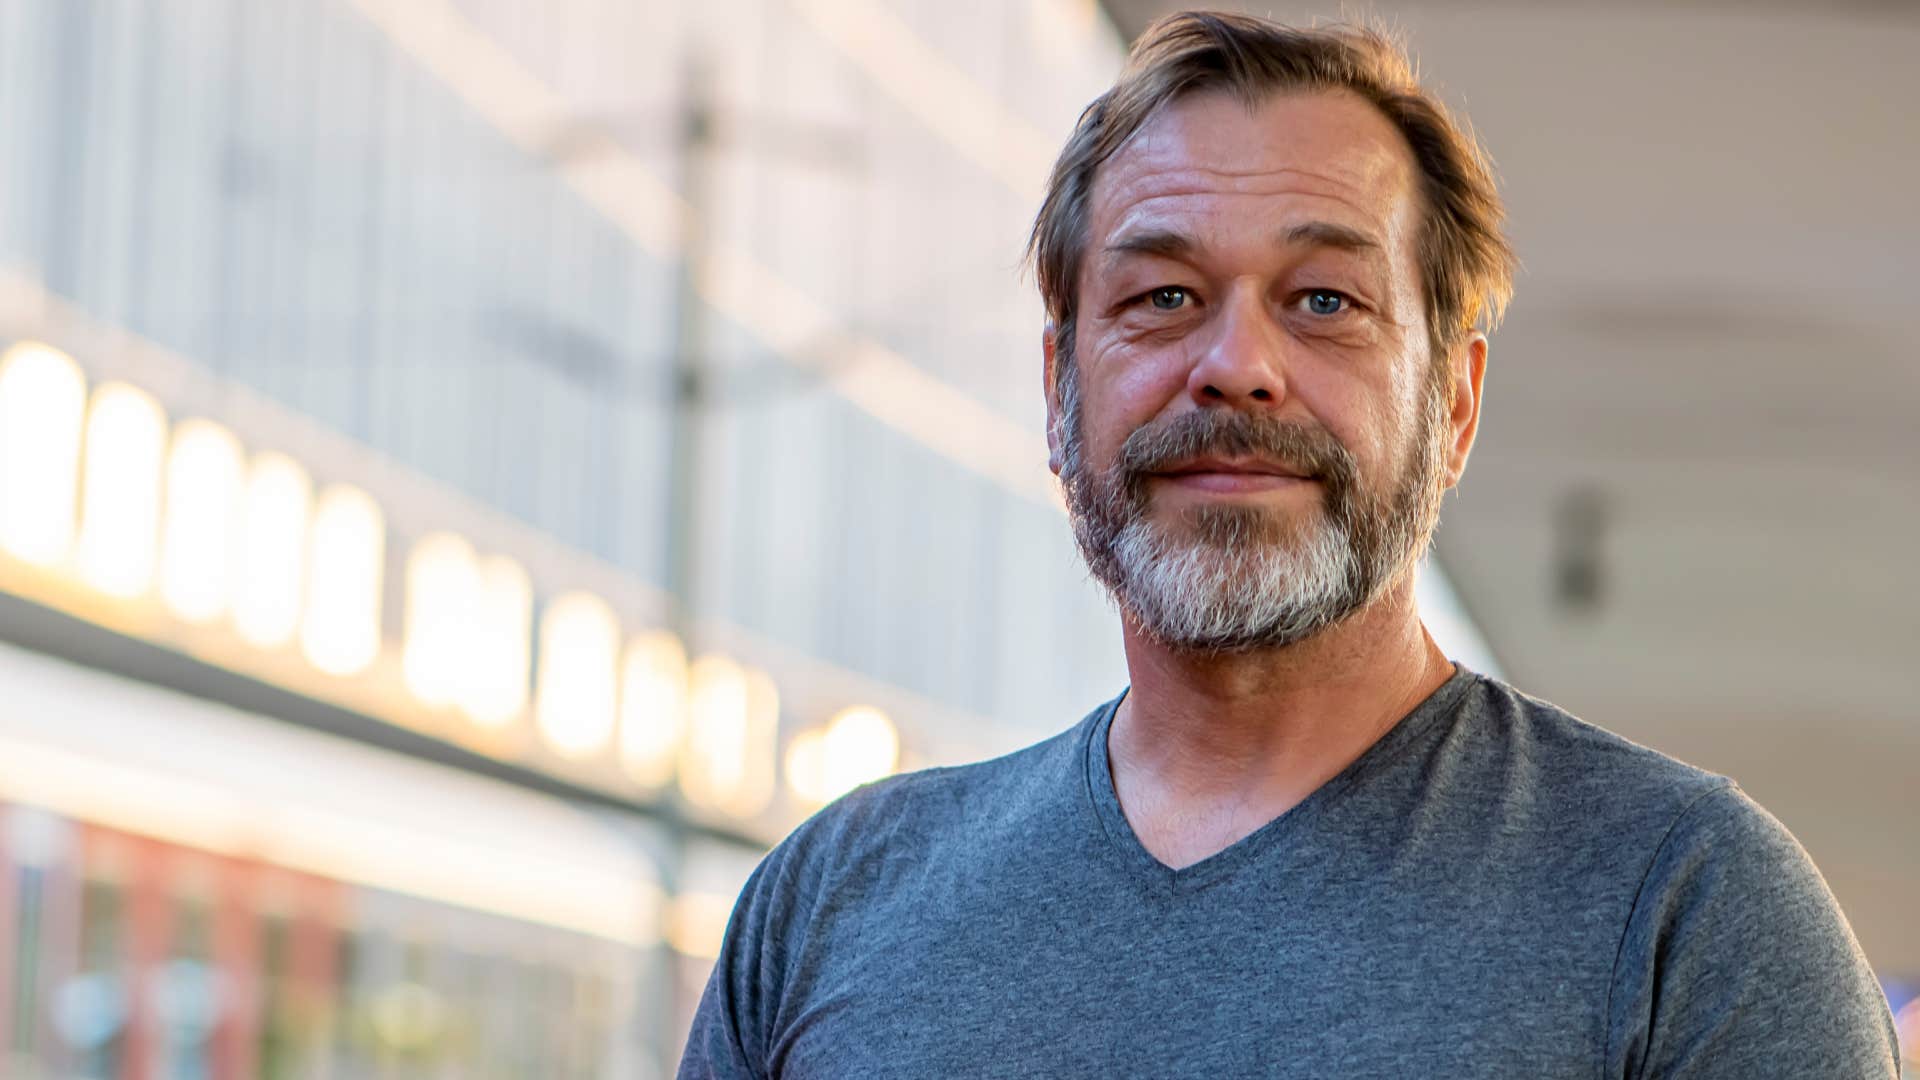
[[475, 474]]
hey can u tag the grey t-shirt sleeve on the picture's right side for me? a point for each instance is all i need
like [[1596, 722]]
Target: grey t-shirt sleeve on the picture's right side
[[1737, 962]]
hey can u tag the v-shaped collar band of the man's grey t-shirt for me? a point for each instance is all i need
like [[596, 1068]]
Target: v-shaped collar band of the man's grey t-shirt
[[1140, 864]]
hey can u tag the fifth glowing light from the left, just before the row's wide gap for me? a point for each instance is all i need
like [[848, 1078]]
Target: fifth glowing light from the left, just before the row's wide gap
[[347, 576]]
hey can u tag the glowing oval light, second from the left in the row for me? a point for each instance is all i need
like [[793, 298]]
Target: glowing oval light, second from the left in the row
[[120, 491]]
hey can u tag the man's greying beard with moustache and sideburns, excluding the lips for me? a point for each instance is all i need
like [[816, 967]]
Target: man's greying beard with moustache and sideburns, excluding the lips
[[1237, 579]]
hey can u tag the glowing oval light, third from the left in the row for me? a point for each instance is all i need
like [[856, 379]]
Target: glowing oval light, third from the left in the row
[[203, 526]]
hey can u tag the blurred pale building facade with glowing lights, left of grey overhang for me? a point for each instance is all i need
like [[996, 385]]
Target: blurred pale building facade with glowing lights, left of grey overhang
[[615, 428]]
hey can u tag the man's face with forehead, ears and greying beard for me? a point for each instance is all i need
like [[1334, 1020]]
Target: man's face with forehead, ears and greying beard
[[1257, 437]]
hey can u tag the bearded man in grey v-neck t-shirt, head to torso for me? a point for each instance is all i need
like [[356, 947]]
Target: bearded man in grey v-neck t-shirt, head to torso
[[1303, 843]]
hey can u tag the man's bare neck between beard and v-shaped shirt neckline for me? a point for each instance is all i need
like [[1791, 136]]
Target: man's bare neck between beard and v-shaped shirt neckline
[[1207, 749]]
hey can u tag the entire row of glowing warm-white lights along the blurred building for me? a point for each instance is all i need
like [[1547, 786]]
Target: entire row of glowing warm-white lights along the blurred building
[[99, 487]]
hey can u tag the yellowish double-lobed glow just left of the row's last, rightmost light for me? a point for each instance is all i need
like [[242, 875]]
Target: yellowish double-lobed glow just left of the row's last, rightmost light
[[727, 758]]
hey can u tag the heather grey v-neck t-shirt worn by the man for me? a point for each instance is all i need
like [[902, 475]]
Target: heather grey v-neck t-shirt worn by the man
[[1495, 889]]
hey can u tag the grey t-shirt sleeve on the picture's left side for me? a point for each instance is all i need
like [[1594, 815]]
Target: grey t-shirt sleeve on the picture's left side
[[732, 1025]]
